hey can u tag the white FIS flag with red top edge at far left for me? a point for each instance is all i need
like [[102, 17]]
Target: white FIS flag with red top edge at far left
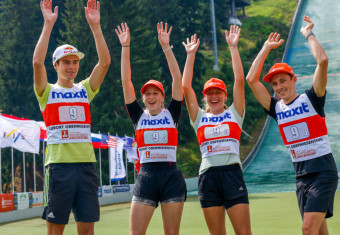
[[21, 134]]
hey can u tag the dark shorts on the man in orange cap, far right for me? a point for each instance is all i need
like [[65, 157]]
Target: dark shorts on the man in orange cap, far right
[[315, 192]]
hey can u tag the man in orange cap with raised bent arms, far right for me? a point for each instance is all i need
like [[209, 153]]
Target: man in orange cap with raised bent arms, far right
[[301, 120]]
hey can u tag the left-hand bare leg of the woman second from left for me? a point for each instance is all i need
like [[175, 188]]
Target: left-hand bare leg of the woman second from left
[[140, 216]]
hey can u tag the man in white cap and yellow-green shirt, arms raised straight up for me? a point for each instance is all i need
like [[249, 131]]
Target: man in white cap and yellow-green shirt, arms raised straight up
[[70, 177]]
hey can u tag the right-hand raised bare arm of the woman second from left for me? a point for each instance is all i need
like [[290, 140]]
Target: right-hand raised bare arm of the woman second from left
[[164, 40]]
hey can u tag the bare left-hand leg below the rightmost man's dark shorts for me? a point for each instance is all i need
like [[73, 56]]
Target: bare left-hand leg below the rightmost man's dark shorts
[[312, 222]]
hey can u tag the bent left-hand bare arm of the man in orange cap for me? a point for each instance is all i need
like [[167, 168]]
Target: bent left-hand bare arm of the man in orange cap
[[260, 92]]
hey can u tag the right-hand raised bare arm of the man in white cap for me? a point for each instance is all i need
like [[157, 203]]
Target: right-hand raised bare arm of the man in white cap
[[92, 14]]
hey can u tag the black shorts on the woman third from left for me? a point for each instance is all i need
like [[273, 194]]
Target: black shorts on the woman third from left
[[222, 186]]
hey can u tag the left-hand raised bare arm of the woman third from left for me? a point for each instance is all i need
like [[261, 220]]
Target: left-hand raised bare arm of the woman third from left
[[190, 97]]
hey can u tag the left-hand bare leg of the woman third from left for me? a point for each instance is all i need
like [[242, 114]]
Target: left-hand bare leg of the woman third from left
[[215, 219]]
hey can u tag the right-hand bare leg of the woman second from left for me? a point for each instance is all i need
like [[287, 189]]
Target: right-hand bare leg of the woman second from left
[[172, 214]]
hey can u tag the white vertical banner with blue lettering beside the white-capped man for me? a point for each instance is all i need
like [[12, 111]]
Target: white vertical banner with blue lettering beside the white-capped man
[[117, 169]]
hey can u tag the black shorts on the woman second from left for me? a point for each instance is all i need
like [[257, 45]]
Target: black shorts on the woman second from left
[[160, 181]]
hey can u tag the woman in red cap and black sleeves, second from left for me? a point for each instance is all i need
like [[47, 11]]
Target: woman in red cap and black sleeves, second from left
[[159, 180]]
